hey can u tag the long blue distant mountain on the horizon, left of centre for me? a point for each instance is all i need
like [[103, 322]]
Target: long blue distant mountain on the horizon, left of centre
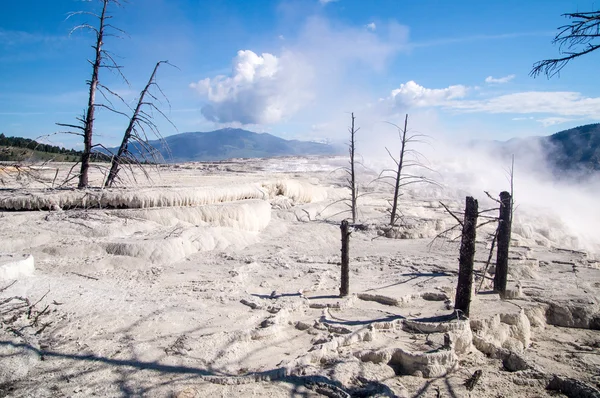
[[232, 143]]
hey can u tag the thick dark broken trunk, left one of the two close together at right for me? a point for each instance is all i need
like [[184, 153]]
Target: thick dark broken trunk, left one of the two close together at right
[[467, 255]]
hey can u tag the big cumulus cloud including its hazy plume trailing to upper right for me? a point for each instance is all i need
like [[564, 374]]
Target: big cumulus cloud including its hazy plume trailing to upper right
[[271, 87]]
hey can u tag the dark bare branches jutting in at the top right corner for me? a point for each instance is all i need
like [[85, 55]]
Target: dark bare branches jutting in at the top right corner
[[578, 38]]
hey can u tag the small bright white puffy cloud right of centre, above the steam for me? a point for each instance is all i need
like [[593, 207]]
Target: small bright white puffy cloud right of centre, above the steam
[[411, 94]]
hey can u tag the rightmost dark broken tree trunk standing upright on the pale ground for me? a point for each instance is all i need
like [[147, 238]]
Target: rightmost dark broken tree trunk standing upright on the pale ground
[[504, 232]]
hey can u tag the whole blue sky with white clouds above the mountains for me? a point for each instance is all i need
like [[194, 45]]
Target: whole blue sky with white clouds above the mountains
[[295, 68]]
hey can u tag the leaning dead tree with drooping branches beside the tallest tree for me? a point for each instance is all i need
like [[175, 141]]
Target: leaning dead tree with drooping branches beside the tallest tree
[[136, 131]]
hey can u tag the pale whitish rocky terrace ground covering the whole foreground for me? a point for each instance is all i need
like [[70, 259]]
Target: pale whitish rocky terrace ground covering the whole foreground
[[222, 279]]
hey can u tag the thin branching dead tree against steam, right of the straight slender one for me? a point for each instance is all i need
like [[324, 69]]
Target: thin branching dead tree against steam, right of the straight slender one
[[399, 175]]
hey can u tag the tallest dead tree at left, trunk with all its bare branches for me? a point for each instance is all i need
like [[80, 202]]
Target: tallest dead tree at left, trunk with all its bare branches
[[86, 129]]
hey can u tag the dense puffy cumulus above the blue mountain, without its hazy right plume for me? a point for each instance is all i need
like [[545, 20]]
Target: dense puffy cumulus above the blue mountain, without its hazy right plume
[[261, 89]]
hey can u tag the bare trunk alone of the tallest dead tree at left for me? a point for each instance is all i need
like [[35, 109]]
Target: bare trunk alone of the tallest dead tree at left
[[88, 129]]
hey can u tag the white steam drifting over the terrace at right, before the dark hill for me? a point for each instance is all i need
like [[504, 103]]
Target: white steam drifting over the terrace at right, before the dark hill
[[562, 210]]
